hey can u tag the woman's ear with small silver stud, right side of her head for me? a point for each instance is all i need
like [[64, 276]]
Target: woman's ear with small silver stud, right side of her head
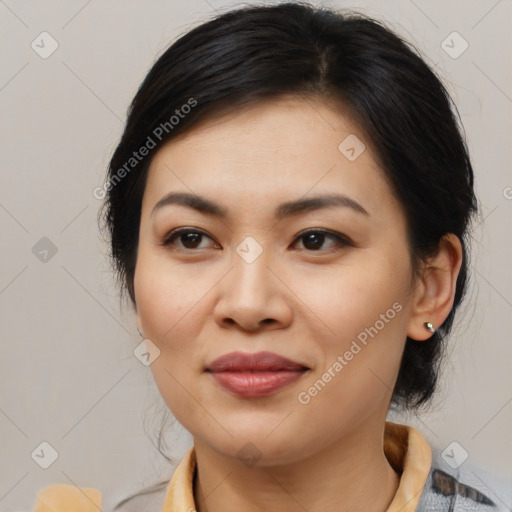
[[434, 293]]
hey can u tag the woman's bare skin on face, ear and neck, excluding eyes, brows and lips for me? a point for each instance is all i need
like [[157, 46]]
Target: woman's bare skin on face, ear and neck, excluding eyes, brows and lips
[[196, 304]]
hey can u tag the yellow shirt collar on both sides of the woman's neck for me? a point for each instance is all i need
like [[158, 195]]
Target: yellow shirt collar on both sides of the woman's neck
[[405, 448]]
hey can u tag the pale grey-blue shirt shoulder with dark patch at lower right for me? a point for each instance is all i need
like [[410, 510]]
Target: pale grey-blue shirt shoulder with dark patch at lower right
[[467, 487]]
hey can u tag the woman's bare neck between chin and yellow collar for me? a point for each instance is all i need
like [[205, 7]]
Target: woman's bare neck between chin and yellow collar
[[351, 475]]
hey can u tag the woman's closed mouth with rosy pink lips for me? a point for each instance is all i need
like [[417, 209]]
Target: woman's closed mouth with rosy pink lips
[[255, 375]]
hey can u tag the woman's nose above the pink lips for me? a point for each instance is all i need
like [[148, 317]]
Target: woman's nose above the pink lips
[[252, 297]]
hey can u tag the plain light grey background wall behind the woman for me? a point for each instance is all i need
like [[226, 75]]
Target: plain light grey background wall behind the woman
[[68, 372]]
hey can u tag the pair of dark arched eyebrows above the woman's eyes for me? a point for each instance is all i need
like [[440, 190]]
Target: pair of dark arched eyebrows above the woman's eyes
[[286, 209]]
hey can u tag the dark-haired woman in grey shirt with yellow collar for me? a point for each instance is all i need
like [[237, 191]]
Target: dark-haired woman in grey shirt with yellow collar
[[288, 211]]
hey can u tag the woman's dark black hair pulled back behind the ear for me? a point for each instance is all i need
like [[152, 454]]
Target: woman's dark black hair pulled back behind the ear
[[255, 53]]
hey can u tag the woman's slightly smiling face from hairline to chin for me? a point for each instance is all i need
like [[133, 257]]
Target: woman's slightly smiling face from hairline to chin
[[270, 274]]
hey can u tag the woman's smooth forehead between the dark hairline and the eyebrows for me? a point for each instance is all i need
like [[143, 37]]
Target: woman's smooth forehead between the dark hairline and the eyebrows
[[283, 148]]
